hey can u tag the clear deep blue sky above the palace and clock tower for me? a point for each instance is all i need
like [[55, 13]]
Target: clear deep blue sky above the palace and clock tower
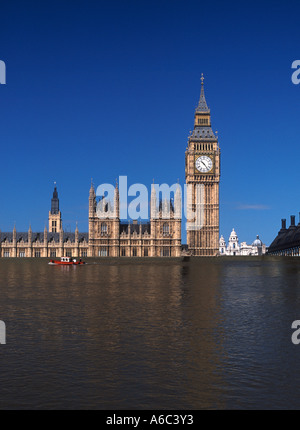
[[108, 88]]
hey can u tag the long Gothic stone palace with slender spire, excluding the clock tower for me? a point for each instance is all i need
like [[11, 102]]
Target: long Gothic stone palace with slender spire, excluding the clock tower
[[107, 236]]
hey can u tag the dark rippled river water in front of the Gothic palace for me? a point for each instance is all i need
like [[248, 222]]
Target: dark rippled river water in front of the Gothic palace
[[150, 334]]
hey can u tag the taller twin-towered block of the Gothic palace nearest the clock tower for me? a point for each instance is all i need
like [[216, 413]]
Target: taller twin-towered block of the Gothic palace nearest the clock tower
[[161, 237]]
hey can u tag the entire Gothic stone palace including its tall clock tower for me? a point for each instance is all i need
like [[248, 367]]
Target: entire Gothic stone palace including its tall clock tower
[[108, 236]]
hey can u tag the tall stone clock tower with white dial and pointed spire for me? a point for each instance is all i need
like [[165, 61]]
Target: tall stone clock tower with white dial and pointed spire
[[202, 173]]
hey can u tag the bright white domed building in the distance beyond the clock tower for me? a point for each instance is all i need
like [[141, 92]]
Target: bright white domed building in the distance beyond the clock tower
[[235, 248]]
